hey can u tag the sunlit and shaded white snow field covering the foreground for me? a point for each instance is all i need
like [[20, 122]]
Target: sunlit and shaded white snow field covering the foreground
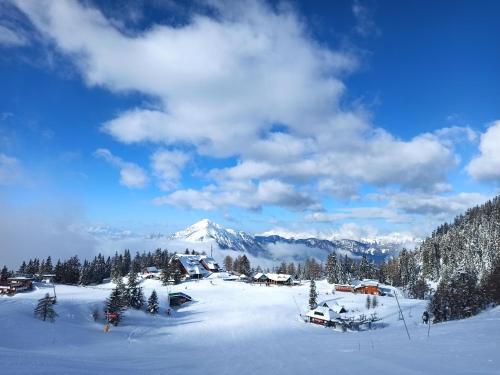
[[237, 328]]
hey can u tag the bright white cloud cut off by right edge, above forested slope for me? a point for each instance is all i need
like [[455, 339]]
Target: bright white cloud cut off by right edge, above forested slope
[[486, 165]]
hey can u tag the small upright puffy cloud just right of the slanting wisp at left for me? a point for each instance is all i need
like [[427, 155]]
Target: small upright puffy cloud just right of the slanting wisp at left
[[167, 166]]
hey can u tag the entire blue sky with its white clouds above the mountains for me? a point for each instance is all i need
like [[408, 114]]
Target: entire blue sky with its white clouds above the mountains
[[347, 119]]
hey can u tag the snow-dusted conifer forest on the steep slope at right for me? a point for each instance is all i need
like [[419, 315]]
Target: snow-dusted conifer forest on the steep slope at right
[[462, 257]]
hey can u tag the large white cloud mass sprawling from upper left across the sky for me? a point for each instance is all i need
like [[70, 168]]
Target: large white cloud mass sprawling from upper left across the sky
[[251, 84]]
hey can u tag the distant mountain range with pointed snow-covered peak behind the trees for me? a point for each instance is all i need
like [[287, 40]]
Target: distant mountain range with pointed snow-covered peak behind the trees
[[275, 247]]
